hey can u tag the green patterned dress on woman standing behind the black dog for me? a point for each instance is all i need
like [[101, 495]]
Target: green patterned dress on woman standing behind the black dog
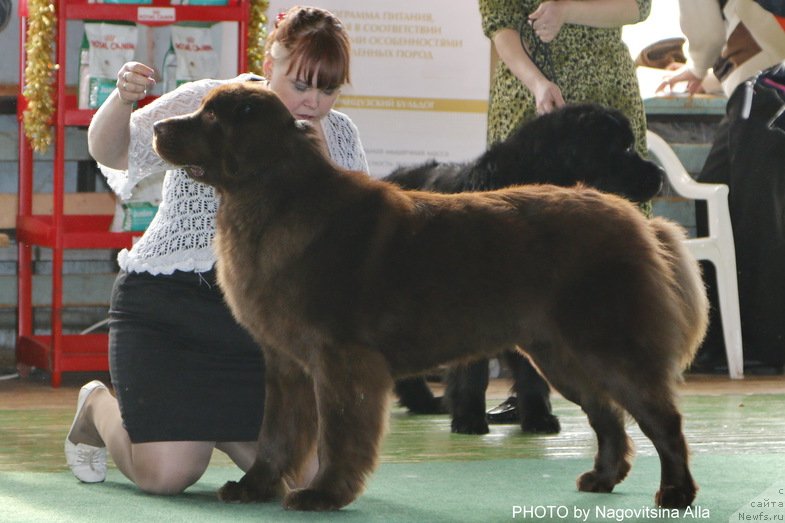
[[590, 65]]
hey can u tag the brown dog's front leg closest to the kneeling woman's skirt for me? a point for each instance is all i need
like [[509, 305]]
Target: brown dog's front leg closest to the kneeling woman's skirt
[[288, 434]]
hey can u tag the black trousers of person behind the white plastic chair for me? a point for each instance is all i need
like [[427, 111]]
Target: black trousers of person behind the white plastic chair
[[749, 157]]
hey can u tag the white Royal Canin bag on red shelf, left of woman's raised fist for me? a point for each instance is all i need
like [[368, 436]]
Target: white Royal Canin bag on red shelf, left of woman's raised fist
[[105, 48]]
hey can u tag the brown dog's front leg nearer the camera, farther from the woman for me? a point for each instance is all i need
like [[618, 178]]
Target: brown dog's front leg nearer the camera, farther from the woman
[[353, 386]]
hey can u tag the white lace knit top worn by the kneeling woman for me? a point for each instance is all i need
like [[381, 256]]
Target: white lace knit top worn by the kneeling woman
[[180, 235]]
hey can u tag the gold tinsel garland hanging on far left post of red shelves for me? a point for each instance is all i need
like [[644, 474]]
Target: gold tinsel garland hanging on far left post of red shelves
[[40, 69]]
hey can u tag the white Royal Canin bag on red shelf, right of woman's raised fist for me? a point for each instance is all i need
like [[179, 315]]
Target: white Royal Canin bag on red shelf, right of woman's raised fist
[[191, 56]]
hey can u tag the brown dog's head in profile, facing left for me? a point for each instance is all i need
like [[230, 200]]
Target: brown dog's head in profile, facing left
[[239, 131]]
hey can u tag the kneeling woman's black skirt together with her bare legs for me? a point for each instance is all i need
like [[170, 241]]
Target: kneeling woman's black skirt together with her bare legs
[[185, 375]]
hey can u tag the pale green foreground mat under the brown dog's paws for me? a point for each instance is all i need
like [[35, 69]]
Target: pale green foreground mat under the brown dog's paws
[[732, 488]]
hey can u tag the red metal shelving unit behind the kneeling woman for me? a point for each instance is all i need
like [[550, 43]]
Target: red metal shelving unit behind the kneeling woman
[[58, 352]]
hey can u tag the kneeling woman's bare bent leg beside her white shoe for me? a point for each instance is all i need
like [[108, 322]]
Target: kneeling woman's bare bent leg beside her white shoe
[[166, 467]]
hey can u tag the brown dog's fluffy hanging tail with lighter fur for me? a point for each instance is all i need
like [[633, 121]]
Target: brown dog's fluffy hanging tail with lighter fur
[[689, 287]]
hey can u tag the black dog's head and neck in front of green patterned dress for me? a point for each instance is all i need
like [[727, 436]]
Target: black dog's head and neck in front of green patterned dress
[[583, 143]]
